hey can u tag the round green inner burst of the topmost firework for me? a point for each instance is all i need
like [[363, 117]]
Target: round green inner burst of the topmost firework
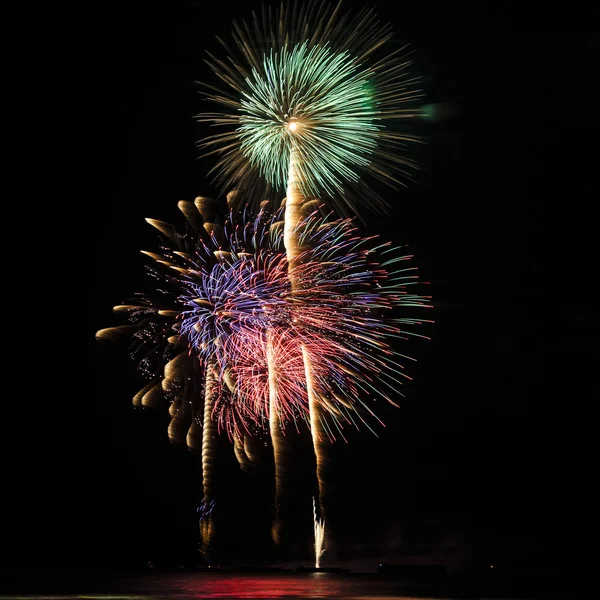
[[315, 103]]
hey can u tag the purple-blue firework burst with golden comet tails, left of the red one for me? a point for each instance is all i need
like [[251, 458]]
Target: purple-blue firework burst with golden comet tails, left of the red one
[[217, 286]]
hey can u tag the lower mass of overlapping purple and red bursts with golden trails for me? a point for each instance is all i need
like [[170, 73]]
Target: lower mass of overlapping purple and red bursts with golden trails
[[240, 340]]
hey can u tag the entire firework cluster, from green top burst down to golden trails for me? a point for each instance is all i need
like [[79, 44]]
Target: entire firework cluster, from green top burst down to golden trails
[[281, 316]]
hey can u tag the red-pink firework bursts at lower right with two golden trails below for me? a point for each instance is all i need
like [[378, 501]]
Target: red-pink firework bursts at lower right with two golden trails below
[[317, 352]]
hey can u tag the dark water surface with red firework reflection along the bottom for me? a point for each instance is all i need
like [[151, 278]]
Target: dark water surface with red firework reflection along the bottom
[[336, 586]]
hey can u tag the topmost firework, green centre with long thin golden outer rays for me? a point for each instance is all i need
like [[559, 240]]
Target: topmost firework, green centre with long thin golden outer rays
[[299, 88]]
